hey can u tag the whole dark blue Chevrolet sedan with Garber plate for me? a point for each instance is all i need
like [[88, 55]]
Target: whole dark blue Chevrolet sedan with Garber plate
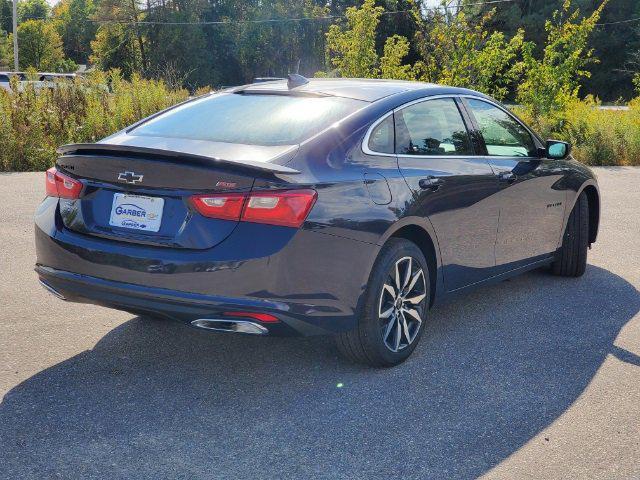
[[305, 207]]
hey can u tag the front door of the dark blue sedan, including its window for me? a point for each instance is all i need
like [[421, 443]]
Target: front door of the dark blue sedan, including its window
[[530, 195]]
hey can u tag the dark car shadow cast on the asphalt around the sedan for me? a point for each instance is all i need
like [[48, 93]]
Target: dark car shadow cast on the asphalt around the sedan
[[156, 399]]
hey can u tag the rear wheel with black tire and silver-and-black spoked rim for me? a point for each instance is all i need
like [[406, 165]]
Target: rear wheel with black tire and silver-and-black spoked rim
[[373, 341]]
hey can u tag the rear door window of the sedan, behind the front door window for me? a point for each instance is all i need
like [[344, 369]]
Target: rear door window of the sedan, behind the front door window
[[432, 127]]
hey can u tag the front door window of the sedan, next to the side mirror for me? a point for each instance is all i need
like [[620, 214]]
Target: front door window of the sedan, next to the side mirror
[[503, 135]]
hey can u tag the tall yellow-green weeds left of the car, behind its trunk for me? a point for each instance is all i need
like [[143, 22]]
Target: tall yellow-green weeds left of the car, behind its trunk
[[33, 123]]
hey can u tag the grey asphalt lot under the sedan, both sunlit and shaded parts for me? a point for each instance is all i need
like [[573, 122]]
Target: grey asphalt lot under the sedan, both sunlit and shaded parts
[[537, 377]]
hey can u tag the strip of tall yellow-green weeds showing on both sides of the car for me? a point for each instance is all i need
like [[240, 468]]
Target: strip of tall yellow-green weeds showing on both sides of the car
[[34, 123]]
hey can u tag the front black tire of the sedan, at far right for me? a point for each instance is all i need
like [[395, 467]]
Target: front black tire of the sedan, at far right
[[571, 259]]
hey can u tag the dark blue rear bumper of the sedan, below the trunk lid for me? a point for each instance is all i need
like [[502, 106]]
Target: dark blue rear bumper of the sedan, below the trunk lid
[[311, 281]]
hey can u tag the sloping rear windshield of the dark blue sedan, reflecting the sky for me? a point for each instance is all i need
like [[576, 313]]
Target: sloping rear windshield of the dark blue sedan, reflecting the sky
[[250, 119]]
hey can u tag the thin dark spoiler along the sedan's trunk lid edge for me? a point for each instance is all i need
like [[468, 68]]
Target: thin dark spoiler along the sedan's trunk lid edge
[[97, 148]]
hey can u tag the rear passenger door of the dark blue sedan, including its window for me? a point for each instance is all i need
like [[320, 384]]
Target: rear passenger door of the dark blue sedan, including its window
[[451, 186]]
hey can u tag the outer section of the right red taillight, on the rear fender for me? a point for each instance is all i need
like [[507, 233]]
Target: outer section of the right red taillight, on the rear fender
[[286, 208]]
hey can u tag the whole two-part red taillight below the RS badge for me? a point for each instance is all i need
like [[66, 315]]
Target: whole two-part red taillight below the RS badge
[[287, 208]]
